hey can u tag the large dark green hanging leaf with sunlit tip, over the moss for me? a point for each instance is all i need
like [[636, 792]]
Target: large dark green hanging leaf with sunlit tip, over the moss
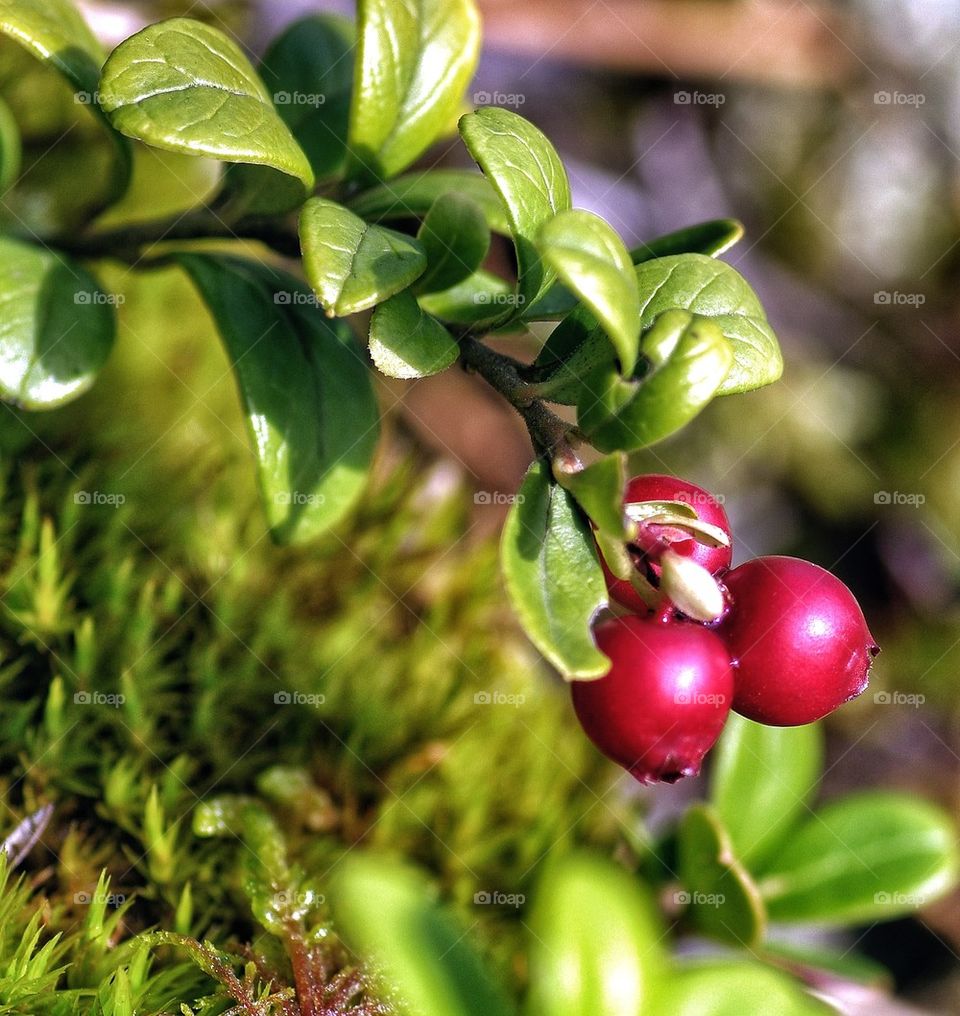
[[306, 393]]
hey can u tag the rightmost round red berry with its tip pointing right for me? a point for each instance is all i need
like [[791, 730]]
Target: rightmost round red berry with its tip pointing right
[[798, 639]]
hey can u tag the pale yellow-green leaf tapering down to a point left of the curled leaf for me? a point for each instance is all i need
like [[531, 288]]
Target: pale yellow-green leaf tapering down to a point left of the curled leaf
[[592, 261]]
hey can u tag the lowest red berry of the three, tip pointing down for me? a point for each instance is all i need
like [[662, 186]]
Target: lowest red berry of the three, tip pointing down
[[663, 705]]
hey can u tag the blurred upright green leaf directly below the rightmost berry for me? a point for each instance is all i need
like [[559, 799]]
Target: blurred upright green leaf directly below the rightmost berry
[[764, 779]]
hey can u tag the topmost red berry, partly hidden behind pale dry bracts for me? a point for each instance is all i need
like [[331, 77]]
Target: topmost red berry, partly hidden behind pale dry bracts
[[656, 487]]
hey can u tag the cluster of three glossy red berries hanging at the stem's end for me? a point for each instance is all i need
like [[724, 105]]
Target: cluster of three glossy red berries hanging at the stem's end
[[790, 647]]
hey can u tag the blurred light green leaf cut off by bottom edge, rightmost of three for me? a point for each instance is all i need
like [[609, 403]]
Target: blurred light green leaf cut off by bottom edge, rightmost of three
[[722, 988]]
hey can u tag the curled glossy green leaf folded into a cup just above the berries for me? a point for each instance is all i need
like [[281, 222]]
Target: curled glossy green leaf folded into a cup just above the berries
[[689, 359]]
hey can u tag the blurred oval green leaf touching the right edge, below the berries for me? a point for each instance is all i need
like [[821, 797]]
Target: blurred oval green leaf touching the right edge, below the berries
[[872, 857]]
